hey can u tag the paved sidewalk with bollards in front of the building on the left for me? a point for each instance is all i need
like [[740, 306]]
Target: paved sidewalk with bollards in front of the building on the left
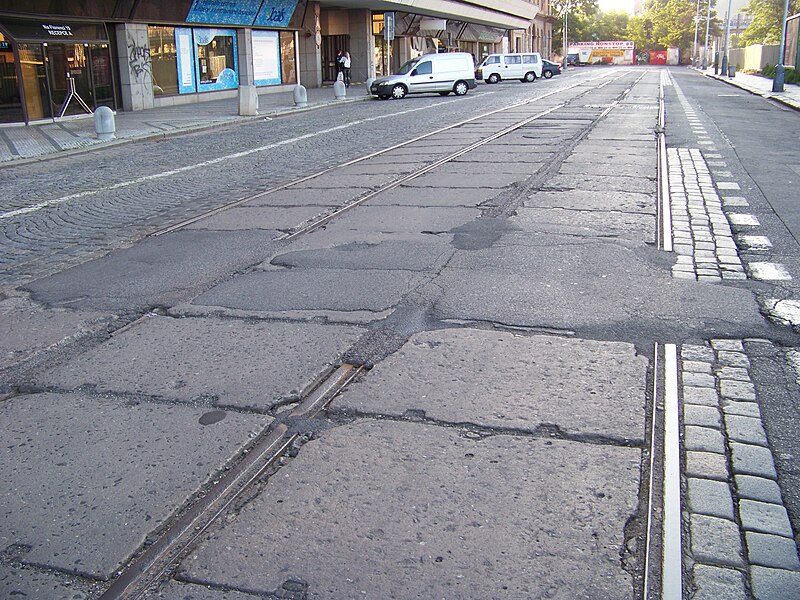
[[77, 133]]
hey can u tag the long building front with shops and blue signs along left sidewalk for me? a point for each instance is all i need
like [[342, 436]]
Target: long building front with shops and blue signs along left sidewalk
[[67, 58]]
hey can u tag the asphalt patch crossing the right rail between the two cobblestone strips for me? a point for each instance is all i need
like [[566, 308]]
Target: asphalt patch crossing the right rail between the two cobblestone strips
[[605, 289]]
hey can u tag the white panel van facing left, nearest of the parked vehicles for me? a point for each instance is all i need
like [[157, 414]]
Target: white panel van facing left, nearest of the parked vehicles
[[443, 73]]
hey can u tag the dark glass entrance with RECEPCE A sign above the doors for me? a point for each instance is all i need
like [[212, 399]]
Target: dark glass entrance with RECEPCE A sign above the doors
[[56, 77]]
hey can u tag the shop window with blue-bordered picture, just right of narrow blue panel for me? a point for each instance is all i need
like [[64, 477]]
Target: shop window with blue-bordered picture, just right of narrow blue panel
[[216, 59]]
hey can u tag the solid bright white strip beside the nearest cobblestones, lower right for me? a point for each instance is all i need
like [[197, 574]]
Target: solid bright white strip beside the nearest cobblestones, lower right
[[672, 557]]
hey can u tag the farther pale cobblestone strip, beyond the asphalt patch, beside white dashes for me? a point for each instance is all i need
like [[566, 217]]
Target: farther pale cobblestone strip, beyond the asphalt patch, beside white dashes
[[702, 236]]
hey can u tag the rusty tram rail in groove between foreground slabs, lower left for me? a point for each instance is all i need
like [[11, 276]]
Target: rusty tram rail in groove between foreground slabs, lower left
[[153, 563]]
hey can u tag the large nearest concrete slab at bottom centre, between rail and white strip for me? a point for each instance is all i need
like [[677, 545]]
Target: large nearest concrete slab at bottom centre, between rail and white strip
[[403, 510]]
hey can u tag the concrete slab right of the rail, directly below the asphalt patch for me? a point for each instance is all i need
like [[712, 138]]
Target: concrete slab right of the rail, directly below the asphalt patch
[[498, 379]]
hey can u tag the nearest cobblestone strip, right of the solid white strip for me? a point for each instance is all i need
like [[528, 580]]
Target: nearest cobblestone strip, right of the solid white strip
[[741, 541]]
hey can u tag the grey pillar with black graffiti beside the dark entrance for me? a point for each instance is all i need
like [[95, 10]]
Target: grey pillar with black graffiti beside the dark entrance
[[135, 74]]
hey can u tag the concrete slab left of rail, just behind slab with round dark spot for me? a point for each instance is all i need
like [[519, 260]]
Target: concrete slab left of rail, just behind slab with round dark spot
[[224, 362]]
